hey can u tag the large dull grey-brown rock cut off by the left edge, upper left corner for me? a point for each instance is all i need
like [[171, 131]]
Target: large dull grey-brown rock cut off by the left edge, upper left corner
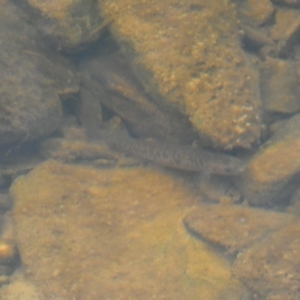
[[30, 79]]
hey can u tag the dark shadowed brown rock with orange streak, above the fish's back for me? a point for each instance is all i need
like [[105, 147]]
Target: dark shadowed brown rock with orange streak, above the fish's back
[[109, 80]]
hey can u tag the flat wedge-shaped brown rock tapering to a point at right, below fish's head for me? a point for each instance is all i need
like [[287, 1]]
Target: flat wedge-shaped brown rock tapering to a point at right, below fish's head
[[234, 227]]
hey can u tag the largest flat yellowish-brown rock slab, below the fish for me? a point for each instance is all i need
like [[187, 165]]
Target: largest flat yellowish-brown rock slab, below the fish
[[112, 234]]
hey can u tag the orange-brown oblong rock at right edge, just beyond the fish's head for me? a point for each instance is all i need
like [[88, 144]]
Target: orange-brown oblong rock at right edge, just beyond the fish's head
[[271, 172]]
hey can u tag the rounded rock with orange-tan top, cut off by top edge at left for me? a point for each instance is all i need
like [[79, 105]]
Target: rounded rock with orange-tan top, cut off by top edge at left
[[68, 25]]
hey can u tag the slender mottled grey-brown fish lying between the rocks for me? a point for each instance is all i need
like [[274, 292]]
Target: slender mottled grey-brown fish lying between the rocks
[[172, 155]]
